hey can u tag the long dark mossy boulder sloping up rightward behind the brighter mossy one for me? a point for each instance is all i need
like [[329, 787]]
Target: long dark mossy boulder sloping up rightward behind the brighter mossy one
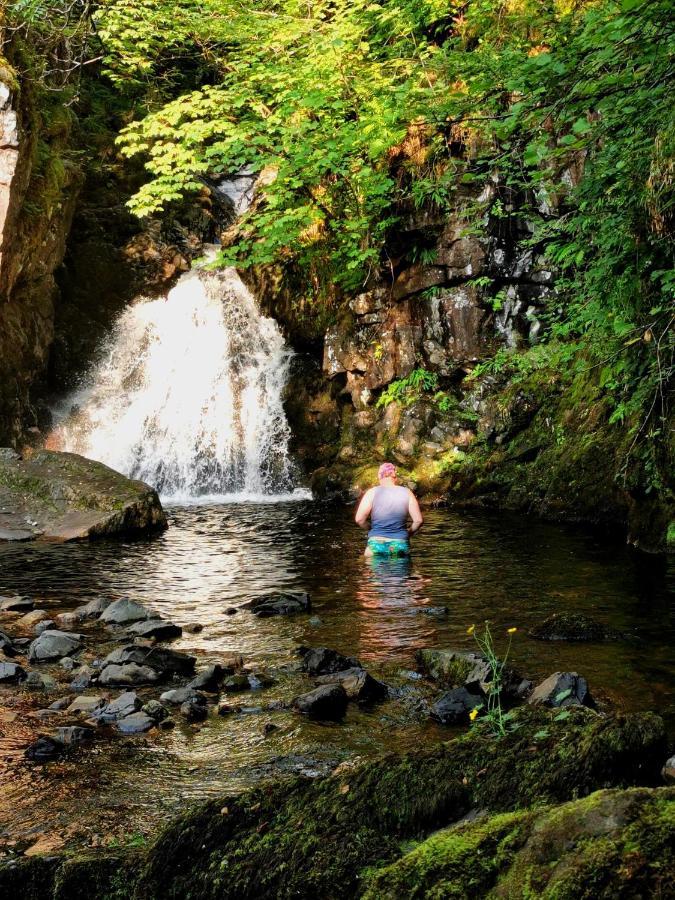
[[313, 838]]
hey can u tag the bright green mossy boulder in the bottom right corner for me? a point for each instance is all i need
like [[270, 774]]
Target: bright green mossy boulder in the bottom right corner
[[615, 843]]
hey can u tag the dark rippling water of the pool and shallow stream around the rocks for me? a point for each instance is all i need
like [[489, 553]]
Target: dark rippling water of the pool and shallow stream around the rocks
[[215, 557]]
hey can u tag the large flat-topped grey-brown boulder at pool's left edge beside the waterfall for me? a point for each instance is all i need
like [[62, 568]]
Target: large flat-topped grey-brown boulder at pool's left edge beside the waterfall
[[65, 497]]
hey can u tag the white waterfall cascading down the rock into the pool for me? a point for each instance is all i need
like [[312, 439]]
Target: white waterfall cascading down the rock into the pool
[[187, 395]]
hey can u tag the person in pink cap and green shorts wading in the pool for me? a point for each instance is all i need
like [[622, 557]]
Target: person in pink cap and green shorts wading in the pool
[[389, 506]]
